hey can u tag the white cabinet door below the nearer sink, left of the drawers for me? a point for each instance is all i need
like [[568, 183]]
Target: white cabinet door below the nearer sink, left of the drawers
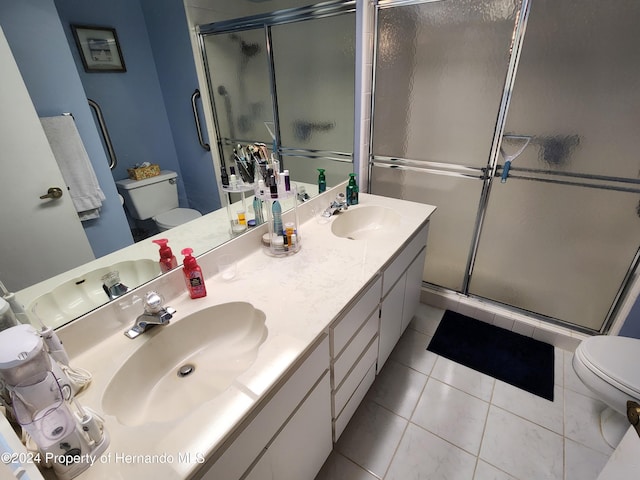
[[303, 445]]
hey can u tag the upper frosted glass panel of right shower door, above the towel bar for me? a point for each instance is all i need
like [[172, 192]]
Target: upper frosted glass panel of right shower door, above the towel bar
[[576, 90]]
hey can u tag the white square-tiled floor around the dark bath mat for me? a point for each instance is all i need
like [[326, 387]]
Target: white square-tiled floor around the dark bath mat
[[426, 417]]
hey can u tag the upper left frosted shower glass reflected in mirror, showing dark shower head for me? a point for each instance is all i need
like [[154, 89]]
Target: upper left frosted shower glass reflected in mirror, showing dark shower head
[[239, 75]]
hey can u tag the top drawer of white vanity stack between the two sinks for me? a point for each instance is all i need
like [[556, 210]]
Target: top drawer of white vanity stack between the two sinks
[[342, 330]]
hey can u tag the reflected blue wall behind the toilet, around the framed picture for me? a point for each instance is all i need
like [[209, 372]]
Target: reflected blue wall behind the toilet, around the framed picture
[[131, 101]]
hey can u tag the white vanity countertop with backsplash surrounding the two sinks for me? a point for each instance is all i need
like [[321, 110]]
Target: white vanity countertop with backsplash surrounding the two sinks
[[300, 295]]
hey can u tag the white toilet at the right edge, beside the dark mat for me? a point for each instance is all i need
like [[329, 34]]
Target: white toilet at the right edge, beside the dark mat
[[609, 366]]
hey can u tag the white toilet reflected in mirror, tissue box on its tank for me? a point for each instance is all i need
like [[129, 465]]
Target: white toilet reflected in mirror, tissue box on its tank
[[156, 198]]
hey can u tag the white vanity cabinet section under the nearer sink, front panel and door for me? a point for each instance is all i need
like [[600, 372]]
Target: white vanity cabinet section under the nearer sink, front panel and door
[[290, 436]]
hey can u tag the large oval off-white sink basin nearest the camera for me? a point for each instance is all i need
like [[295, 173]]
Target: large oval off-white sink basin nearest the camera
[[212, 346]]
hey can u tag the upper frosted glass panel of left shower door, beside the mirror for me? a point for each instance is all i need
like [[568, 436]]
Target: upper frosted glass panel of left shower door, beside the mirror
[[439, 78]]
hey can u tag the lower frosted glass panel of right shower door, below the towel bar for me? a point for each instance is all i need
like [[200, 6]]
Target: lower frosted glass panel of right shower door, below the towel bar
[[560, 251]]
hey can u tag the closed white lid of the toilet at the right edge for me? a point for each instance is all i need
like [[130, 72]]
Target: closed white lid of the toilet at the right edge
[[615, 357]]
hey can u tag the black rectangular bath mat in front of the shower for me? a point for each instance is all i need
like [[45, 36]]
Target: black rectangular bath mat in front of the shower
[[516, 359]]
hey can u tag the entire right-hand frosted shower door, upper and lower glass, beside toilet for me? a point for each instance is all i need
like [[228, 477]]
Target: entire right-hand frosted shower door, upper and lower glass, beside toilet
[[560, 235]]
